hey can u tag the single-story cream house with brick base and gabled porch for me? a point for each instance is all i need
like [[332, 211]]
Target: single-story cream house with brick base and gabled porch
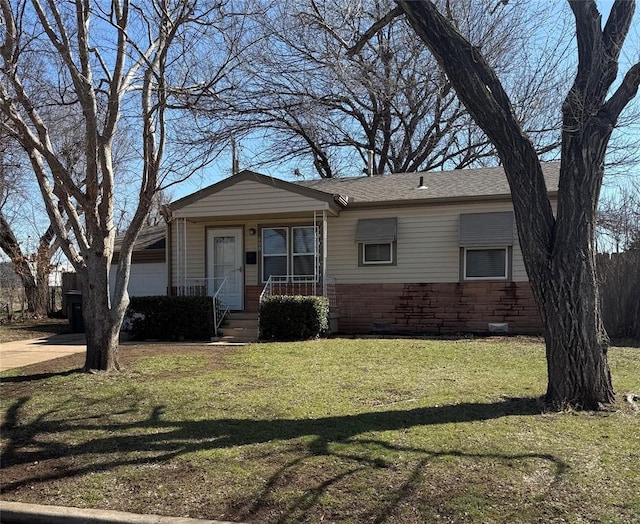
[[411, 252]]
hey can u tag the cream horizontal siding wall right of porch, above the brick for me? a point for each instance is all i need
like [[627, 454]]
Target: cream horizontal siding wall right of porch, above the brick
[[427, 242]]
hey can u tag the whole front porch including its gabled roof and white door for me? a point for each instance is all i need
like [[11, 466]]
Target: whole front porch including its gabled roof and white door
[[248, 237]]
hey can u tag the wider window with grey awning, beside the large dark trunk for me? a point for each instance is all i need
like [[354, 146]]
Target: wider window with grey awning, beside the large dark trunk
[[486, 241]]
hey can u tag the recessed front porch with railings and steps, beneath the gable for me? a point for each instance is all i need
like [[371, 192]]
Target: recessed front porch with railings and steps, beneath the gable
[[239, 265]]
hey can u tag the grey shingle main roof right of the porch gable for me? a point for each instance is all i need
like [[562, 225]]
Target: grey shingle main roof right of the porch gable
[[461, 184]]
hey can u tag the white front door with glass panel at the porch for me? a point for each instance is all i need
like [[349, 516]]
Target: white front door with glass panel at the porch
[[224, 260]]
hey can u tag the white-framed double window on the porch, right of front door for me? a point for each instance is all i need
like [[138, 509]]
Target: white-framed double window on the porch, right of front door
[[290, 252]]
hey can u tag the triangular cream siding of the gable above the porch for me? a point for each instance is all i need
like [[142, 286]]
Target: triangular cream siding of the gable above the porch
[[249, 197]]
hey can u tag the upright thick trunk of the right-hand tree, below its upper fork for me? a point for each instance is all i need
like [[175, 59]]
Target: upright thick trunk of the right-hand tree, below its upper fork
[[577, 342]]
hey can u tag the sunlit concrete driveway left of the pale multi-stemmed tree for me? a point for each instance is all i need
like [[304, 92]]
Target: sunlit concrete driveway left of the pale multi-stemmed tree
[[24, 352]]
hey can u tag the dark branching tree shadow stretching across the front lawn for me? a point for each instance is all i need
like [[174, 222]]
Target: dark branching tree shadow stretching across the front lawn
[[154, 440]]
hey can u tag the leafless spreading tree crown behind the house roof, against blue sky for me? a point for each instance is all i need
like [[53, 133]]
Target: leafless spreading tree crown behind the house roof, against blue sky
[[313, 101]]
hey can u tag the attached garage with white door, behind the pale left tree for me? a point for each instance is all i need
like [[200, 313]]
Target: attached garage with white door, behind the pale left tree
[[148, 275]]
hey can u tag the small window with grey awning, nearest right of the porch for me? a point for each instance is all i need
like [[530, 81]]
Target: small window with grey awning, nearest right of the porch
[[376, 238]]
